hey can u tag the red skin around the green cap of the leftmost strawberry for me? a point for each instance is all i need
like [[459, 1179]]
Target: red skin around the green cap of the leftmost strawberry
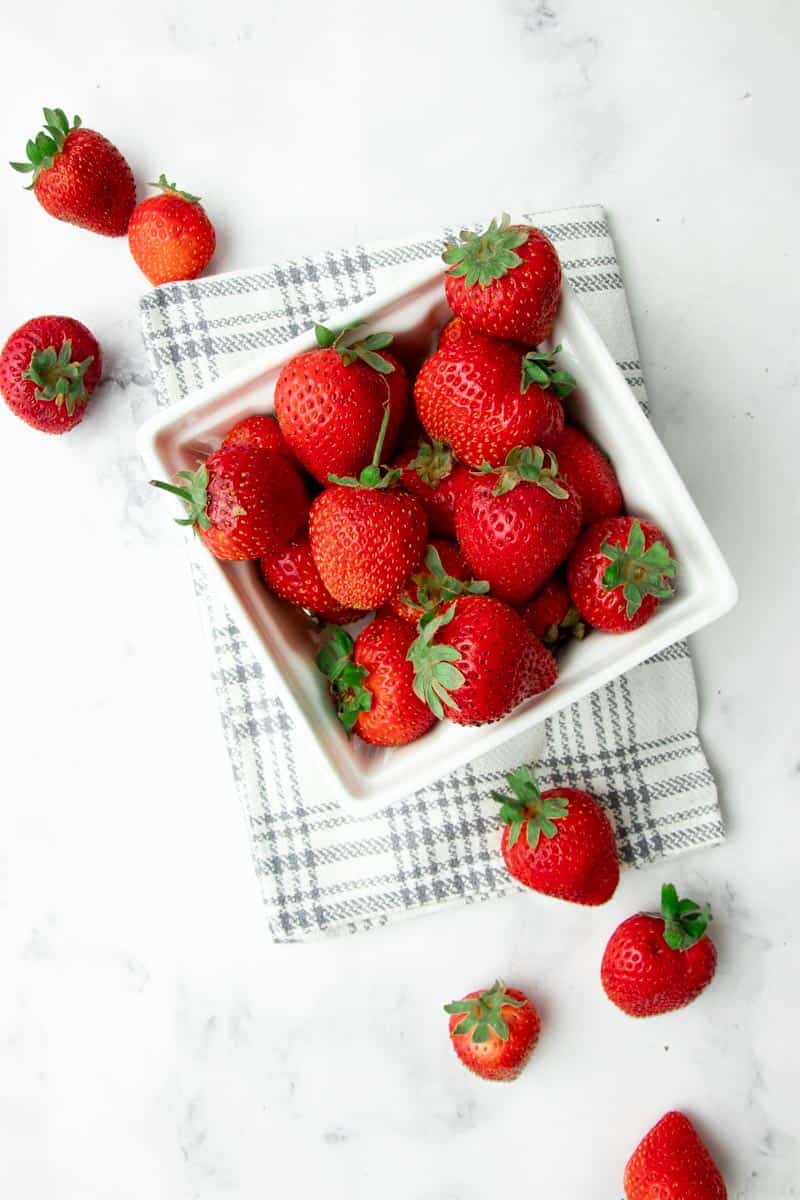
[[20, 394]]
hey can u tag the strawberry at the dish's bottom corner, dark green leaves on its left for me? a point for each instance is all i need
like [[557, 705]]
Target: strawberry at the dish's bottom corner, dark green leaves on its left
[[372, 683]]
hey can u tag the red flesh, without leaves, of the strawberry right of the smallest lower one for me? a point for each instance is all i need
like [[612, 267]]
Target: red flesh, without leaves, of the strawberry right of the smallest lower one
[[645, 977]]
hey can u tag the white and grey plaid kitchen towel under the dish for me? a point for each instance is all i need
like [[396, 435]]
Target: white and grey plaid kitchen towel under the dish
[[634, 745]]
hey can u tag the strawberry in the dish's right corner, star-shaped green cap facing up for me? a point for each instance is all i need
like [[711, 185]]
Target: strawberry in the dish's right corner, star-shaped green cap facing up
[[619, 573]]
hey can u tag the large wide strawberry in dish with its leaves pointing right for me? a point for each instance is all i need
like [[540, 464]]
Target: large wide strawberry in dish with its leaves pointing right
[[485, 398]]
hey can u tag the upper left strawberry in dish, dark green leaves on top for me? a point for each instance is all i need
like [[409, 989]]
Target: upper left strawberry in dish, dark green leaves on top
[[330, 401]]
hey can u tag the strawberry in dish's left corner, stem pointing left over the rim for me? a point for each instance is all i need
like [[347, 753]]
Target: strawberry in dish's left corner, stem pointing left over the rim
[[244, 502]]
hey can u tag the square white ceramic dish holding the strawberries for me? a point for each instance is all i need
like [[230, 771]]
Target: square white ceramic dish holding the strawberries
[[282, 639]]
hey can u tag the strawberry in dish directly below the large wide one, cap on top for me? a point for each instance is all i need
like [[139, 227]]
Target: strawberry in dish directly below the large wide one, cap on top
[[516, 524]]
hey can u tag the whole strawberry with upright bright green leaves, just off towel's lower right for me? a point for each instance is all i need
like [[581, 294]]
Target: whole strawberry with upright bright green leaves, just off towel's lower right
[[655, 963]]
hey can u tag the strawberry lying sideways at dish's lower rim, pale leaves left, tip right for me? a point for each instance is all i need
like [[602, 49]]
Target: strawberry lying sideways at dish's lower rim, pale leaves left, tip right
[[483, 652]]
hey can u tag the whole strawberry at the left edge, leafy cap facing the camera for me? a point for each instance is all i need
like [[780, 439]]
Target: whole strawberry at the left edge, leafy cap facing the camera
[[49, 370]]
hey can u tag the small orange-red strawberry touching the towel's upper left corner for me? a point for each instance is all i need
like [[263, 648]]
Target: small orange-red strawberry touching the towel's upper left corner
[[171, 236]]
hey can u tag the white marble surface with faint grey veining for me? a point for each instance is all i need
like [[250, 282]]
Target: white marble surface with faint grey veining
[[154, 1042]]
